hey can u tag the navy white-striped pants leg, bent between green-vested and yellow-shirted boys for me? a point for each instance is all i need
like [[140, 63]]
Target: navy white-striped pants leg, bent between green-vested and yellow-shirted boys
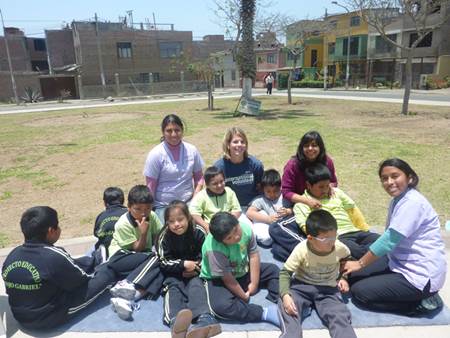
[[286, 234]]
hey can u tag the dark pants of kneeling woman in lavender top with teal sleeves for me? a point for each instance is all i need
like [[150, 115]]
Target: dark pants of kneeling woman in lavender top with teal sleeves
[[378, 288]]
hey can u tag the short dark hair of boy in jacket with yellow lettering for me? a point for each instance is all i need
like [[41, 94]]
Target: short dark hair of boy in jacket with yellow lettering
[[36, 221]]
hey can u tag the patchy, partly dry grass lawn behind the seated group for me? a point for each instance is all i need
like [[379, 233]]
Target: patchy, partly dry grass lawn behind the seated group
[[65, 159]]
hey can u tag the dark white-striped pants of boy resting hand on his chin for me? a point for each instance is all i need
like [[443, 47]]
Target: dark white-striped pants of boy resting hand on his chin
[[139, 268]]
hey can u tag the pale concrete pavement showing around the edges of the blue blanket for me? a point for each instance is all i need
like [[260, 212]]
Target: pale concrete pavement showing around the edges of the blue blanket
[[78, 246]]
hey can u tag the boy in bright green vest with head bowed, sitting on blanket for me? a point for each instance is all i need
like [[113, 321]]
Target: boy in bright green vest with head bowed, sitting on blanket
[[232, 268]]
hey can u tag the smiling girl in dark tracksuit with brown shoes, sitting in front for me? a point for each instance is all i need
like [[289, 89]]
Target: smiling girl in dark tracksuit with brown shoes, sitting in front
[[180, 251]]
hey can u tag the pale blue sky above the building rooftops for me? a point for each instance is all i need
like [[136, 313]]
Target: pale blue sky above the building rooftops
[[34, 16]]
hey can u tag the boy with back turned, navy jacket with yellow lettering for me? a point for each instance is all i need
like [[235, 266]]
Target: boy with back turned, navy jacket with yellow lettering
[[45, 285]]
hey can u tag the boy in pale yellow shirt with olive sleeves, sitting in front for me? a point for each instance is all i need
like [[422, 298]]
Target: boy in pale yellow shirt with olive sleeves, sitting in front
[[315, 265]]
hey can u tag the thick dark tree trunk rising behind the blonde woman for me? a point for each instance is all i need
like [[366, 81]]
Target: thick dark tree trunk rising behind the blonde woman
[[246, 54]]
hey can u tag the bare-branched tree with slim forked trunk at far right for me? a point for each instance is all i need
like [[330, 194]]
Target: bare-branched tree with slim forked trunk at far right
[[421, 17]]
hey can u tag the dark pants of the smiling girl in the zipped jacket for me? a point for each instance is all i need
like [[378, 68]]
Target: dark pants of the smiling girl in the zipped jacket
[[184, 294]]
